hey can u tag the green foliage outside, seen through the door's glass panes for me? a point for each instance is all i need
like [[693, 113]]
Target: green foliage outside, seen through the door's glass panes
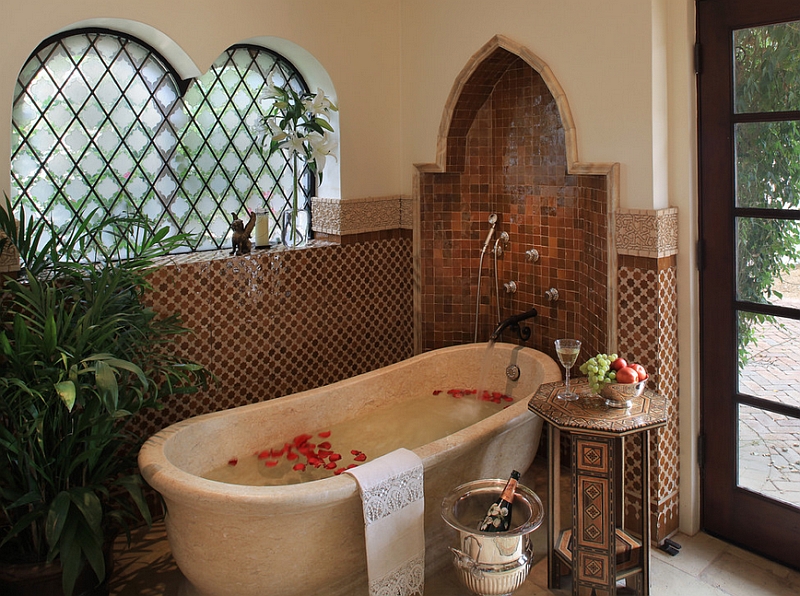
[[766, 79]]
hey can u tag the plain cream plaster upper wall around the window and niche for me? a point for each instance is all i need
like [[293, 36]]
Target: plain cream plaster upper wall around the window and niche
[[625, 66]]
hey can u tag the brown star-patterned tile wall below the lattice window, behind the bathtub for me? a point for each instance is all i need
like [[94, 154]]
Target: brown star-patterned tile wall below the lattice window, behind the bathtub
[[280, 321]]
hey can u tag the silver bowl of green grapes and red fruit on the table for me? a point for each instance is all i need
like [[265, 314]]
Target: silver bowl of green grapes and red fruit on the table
[[615, 378]]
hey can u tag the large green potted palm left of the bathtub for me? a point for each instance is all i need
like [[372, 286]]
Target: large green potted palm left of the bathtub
[[81, 356]]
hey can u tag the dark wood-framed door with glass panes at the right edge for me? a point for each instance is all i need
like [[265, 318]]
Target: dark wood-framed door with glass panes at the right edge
[[749, 147]]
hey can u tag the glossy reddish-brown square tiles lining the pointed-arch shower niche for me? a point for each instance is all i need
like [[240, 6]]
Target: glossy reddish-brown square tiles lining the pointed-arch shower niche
[[506, 155]]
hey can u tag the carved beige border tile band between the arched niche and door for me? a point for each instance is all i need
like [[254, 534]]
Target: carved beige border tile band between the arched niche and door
[[644, 233]]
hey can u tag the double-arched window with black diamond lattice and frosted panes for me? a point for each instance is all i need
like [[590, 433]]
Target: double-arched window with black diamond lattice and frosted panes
[[102, 124]]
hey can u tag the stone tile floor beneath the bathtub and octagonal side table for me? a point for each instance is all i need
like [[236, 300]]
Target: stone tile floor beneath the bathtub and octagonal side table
[[705, 566]]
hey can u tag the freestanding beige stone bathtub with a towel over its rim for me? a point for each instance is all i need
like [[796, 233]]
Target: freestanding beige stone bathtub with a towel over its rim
[[308, 538]]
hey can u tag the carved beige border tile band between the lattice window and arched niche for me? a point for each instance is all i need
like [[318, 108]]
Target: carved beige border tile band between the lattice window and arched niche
[[357, 216]]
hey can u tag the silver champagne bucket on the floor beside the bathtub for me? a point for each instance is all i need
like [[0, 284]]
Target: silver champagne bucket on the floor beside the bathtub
[[492, 563]]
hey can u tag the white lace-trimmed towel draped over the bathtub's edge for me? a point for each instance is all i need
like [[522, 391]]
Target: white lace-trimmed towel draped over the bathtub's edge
[[391, 492]]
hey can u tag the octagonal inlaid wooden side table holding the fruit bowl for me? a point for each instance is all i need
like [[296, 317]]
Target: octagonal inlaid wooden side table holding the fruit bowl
[[597, 548]]
